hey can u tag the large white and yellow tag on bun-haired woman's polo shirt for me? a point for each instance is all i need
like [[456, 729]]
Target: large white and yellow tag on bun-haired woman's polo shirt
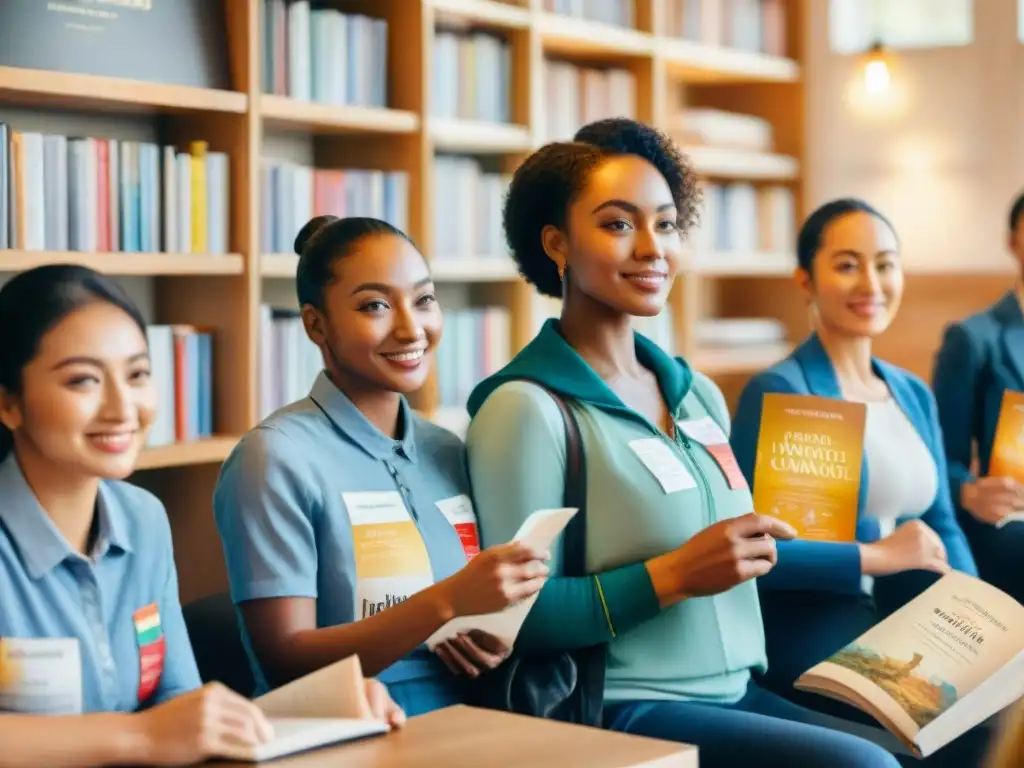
[[392, 561]]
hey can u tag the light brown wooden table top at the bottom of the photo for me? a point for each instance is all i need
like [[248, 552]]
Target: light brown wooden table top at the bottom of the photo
[[468, 738]]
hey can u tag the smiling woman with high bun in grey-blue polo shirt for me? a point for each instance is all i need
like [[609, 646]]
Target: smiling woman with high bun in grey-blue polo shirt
[[346, 518]]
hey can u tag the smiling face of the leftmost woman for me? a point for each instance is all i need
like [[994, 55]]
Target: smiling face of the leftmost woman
[[87, 401]]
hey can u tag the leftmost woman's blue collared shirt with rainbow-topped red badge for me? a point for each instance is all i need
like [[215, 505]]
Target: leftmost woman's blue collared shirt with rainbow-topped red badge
[[120, 606]]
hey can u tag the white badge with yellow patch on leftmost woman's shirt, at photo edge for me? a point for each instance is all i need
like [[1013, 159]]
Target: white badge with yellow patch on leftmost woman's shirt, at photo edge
[[40, 676]]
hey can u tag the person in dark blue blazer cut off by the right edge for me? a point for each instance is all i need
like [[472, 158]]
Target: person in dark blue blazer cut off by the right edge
[[982, 359]]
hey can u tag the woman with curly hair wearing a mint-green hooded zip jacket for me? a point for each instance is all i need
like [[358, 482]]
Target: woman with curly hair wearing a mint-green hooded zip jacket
[[672, 547]]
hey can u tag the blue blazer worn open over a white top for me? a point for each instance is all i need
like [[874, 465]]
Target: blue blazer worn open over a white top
[[831, 567]]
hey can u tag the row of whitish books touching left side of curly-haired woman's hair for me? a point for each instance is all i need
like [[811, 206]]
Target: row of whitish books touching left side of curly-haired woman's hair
[[463, 185]]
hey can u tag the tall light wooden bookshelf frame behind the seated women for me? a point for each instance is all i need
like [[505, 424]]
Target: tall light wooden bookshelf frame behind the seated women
[[225, 292]]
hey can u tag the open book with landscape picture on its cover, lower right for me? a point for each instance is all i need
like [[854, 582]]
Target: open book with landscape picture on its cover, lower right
[[944, 663]]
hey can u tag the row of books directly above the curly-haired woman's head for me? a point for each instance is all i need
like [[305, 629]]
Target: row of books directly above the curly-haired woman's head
[[576, 96]]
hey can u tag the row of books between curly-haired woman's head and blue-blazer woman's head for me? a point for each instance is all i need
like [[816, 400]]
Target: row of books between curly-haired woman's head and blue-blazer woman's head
[[745, 219]]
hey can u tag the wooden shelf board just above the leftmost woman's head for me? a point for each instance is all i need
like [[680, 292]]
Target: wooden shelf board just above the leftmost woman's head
[[154, 265]]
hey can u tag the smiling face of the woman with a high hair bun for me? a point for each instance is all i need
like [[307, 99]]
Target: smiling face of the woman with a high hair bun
[[381, 322]]
